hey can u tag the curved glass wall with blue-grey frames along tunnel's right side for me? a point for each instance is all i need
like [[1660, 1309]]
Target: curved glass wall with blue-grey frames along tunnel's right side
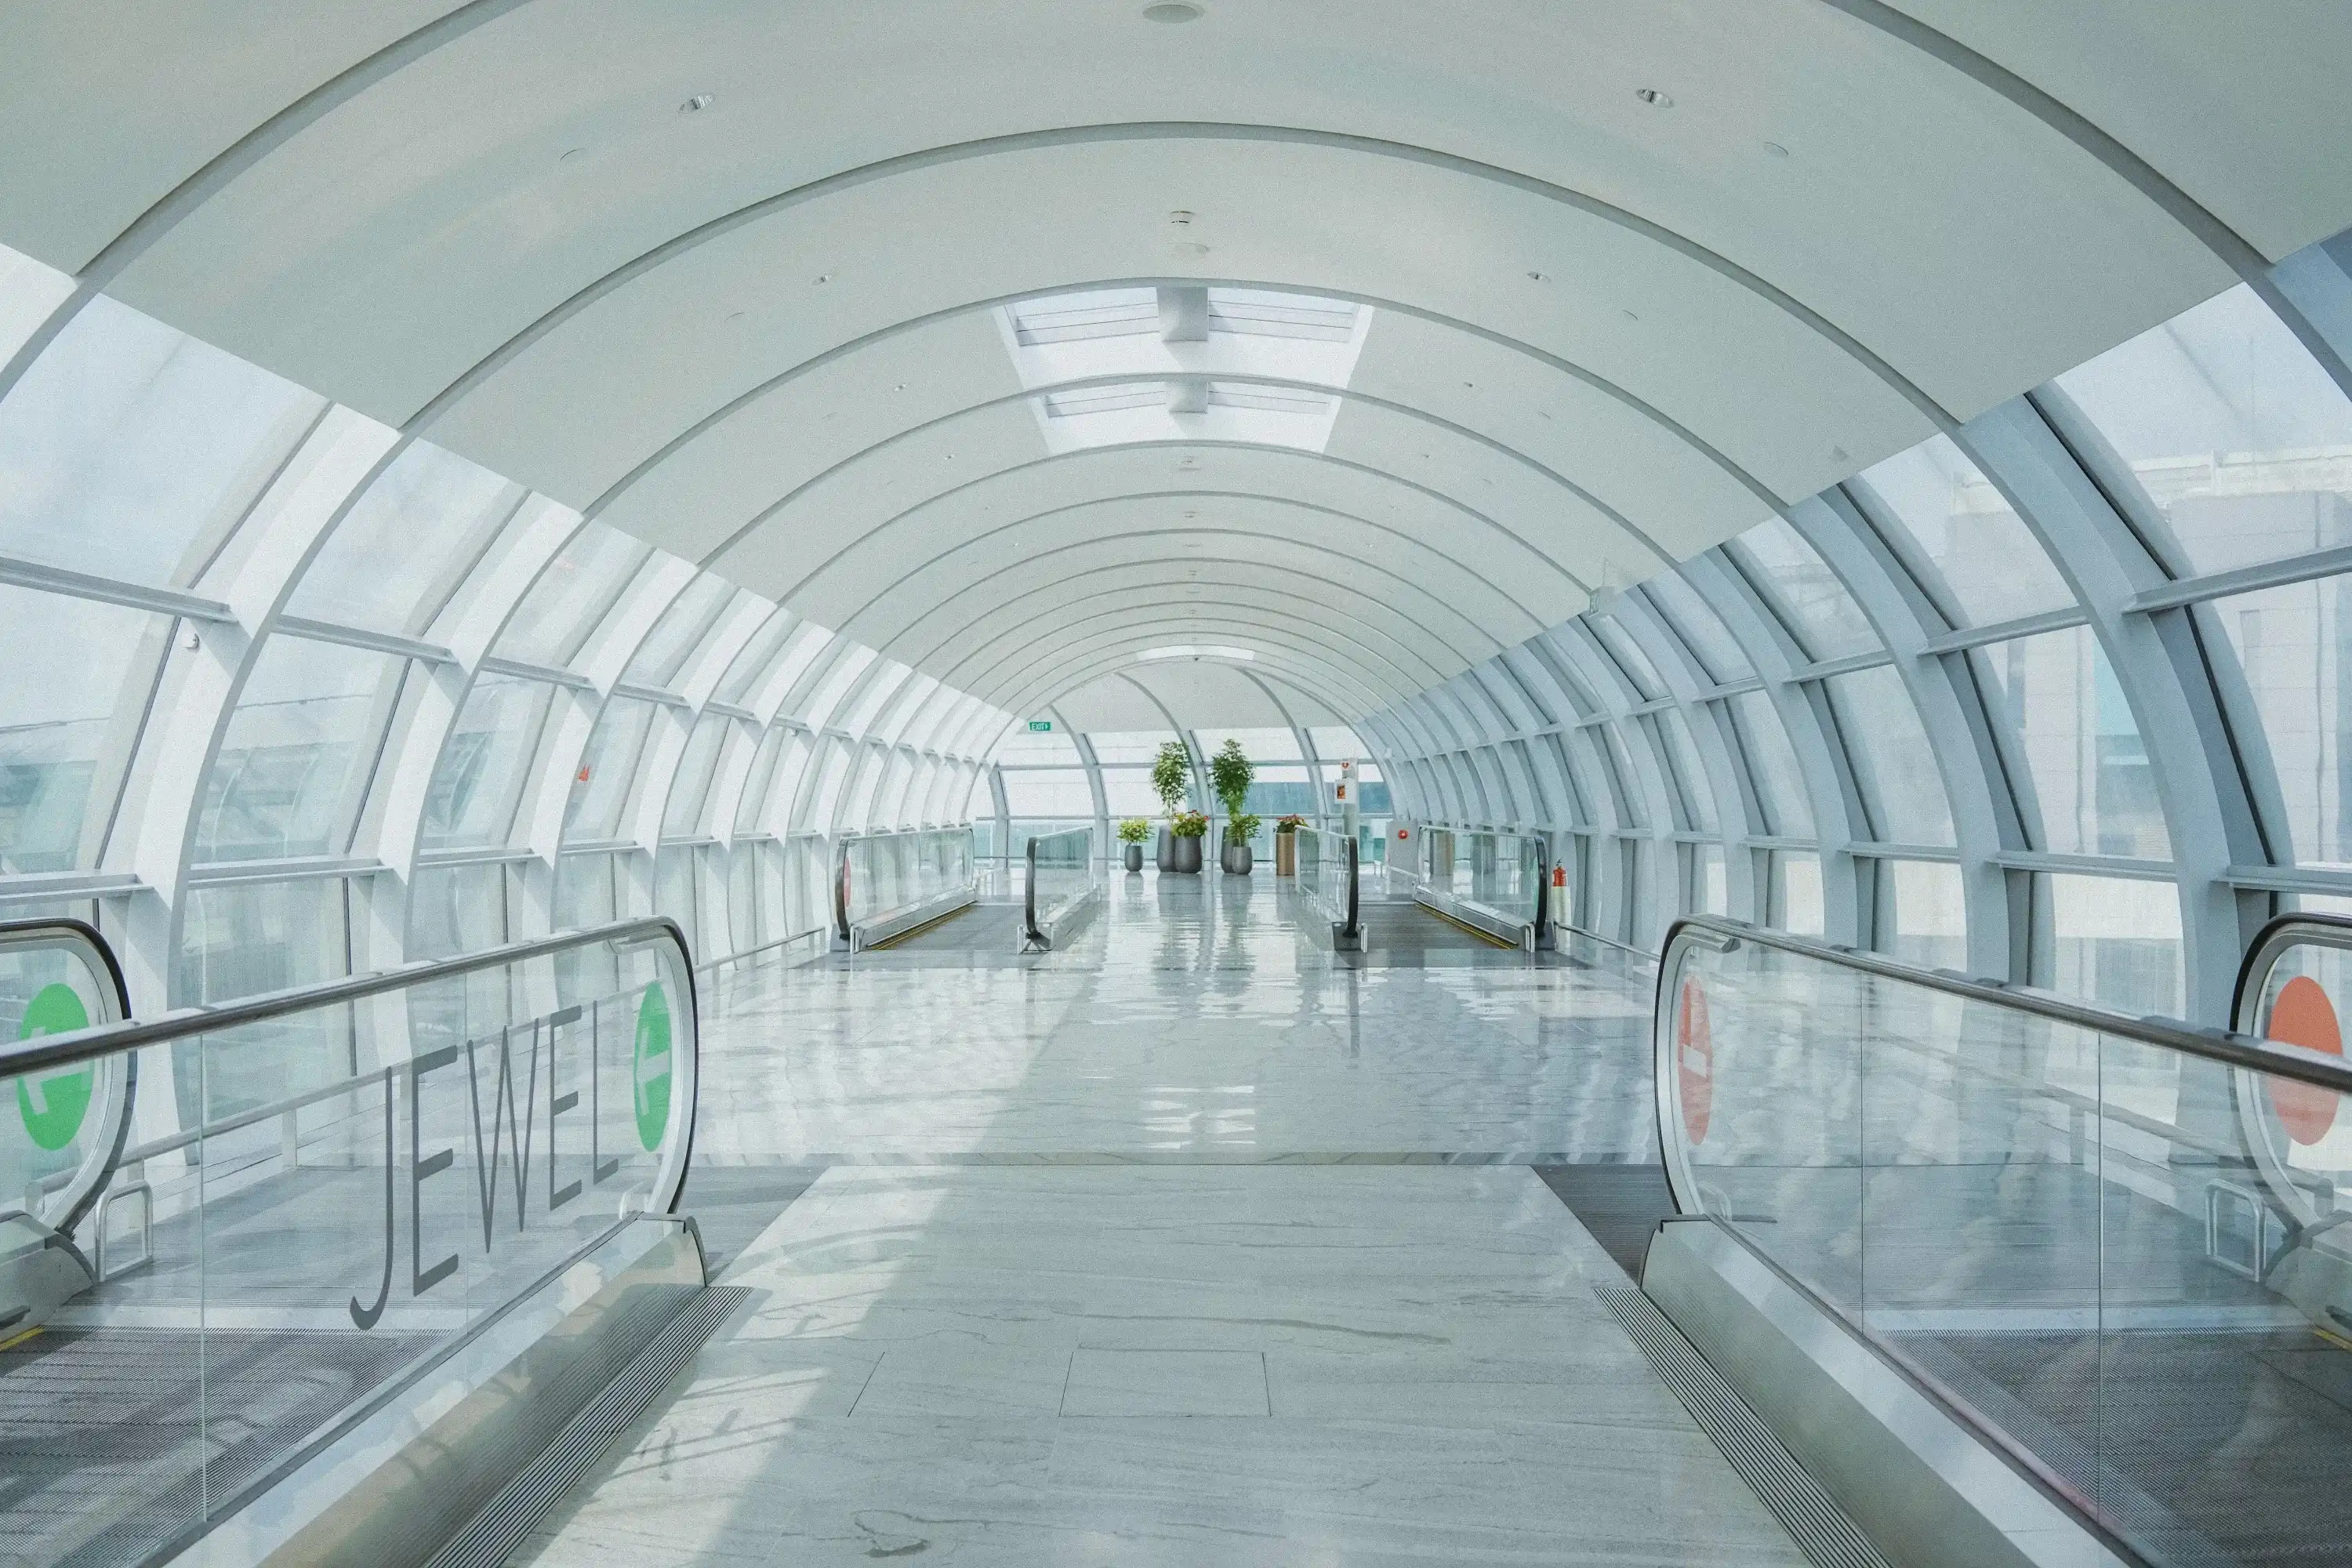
[[2054, 697]]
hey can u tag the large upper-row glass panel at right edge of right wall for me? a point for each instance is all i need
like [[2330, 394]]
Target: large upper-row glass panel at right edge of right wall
[[2231, 429]]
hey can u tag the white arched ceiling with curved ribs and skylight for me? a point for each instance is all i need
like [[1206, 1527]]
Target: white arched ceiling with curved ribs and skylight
[[749, 279]]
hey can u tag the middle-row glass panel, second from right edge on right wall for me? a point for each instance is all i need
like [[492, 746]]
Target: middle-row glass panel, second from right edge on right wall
[[2092, 784]]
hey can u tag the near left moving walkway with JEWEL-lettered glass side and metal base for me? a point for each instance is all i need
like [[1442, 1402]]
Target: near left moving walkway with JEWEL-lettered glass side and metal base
[[328, 1275]]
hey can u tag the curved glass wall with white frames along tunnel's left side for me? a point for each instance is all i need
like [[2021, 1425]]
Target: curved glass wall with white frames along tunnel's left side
[[290, 697]]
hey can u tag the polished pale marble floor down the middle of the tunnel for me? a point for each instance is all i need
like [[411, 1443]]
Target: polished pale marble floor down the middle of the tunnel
[[1184, 1245]]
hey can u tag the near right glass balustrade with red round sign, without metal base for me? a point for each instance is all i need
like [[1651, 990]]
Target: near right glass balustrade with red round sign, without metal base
[[2111, 1245]]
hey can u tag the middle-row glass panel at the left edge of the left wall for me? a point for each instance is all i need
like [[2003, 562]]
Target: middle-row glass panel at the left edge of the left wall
[[76, 676]]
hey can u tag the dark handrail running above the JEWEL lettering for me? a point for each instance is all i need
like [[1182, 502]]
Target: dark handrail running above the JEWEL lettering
[[192, 1021]]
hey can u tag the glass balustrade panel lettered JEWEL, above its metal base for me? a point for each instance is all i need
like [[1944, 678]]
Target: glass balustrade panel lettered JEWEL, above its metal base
[[323, 1193]]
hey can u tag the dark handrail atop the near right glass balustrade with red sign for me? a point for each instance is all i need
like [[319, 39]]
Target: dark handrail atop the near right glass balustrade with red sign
[[2165, 1033]]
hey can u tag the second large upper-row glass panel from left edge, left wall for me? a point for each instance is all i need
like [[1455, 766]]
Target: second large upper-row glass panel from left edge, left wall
[[392, 561]]
